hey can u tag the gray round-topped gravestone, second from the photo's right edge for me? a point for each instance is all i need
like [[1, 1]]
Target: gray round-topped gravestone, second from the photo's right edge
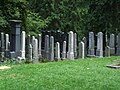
[[112, 44]]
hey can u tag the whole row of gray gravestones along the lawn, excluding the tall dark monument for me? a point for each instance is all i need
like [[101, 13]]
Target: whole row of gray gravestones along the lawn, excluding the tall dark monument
[[34, 51]]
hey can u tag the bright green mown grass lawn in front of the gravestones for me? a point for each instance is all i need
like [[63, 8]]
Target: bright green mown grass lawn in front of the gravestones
[[84, 74]]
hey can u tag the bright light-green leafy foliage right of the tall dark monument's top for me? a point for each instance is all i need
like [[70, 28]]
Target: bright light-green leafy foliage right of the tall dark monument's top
[[35, 23]]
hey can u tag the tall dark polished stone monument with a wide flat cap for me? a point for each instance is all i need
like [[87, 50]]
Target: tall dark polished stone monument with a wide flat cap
[[15, 37]]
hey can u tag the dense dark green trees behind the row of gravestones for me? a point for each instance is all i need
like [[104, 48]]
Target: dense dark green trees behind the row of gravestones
[[80, 16]]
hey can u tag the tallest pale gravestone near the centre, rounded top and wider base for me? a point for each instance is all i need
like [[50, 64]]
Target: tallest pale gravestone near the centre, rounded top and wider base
[[70, 54]]
